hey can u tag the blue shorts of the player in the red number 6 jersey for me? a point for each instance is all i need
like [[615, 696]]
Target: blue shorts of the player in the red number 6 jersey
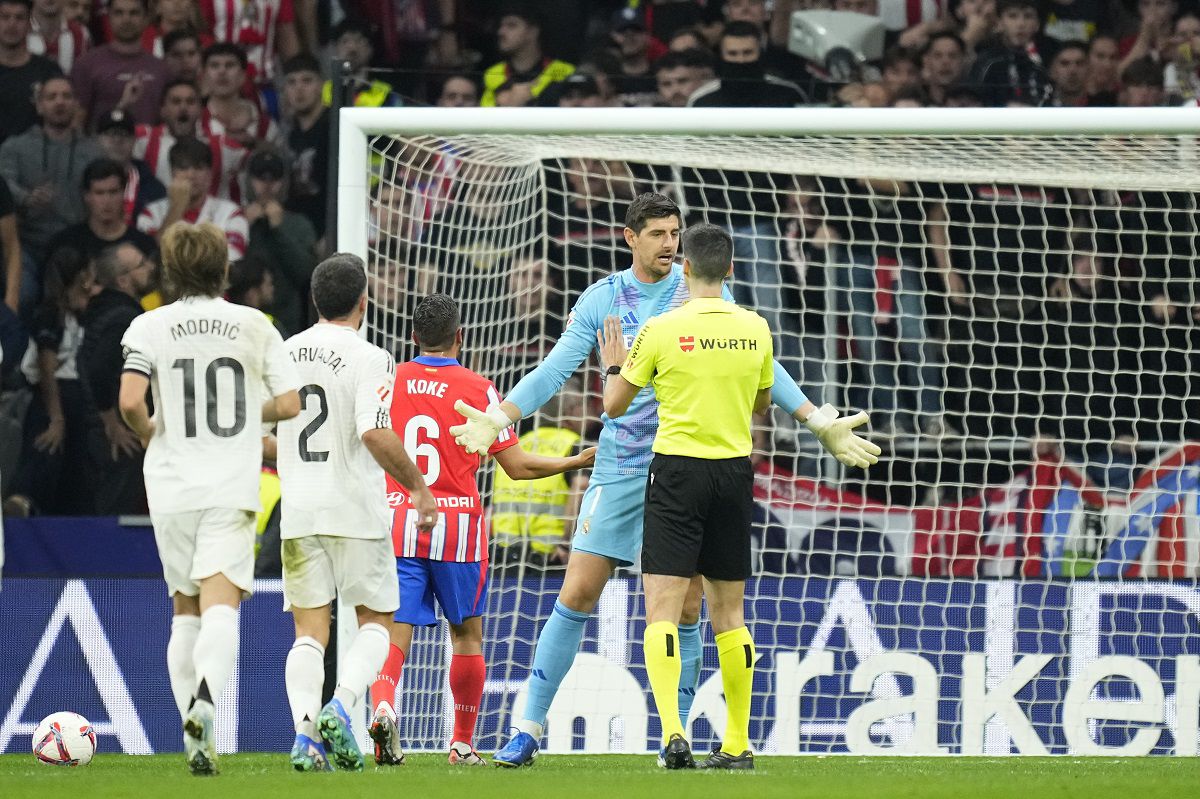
[[460, 591]]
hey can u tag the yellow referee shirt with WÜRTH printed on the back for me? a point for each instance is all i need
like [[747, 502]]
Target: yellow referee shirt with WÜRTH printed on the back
[[707, 361]]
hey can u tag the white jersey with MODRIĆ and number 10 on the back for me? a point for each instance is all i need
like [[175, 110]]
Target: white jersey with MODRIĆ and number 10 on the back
[[212, 367]]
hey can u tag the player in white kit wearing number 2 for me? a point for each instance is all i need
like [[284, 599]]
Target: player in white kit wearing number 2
[[337, 524]]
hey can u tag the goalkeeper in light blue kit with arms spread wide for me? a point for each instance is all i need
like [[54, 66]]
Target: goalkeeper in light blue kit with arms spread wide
[[609, 531]]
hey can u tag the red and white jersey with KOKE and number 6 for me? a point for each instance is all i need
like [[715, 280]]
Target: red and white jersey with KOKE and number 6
[[423, 413]]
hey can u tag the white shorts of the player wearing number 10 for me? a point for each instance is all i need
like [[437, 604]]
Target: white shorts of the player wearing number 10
[[195, 545]]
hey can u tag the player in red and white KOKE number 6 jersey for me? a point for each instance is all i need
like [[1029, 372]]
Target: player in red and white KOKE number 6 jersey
[[451, 562]]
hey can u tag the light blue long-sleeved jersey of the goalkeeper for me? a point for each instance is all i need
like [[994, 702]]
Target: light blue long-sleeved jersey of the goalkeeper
[[626, 442]]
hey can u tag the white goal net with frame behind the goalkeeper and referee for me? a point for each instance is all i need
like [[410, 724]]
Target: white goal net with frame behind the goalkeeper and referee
[[1011, 296]]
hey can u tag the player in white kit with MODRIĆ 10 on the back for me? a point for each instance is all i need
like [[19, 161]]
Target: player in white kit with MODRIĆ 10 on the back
[[218, 373]]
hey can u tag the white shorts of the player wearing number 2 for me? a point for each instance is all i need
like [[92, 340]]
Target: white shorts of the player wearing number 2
[[361, 572]]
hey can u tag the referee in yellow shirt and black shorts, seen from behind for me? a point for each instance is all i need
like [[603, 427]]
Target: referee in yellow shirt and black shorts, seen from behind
[[711, 365]]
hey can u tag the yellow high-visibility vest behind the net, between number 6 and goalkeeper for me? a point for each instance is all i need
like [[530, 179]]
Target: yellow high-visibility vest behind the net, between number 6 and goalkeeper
[[535, 509]]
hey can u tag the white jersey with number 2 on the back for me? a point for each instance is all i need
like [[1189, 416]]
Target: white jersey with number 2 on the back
[[331, 483]]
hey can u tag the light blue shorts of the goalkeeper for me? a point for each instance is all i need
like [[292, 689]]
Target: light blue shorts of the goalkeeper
[[611, 520]]
